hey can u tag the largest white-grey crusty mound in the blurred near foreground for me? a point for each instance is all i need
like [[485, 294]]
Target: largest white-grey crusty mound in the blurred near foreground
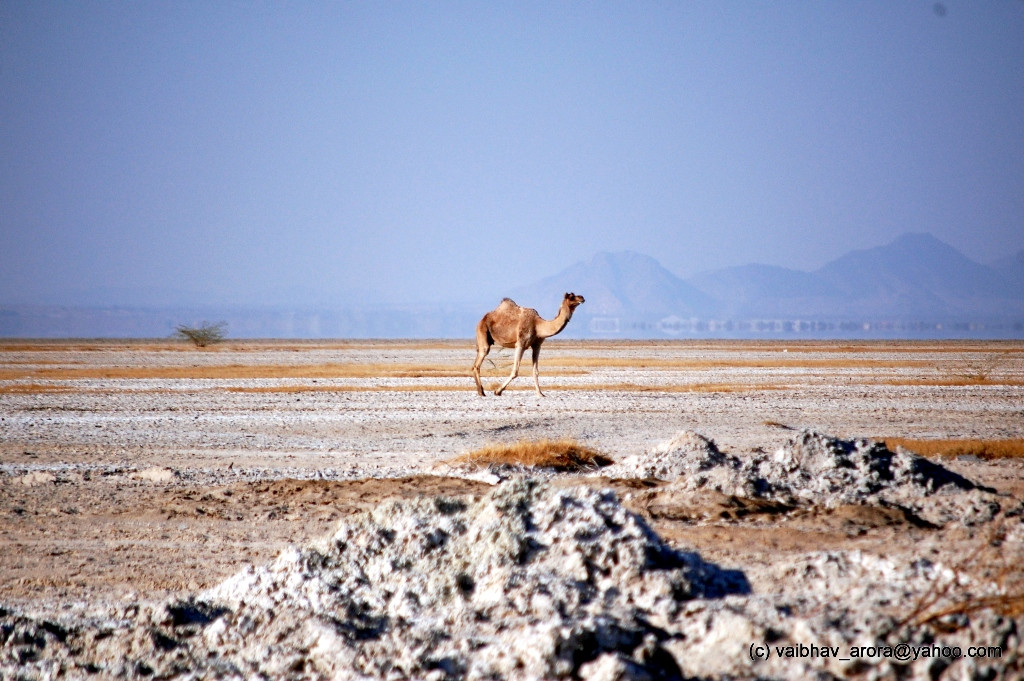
[[529, 582]]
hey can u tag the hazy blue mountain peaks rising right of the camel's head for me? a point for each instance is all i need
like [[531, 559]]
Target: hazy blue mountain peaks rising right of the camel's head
[[916, 283]]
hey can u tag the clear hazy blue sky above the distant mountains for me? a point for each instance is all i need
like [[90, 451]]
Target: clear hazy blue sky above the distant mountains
[[445, 151]]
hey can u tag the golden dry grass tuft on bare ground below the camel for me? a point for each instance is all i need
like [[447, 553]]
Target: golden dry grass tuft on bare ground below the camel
[[561, 455]]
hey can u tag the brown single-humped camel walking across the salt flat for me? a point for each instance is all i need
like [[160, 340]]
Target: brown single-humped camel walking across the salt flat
[[520, 328]]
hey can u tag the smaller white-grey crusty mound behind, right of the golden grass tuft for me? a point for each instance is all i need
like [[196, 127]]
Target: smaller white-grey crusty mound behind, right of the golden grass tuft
[[814, 469]]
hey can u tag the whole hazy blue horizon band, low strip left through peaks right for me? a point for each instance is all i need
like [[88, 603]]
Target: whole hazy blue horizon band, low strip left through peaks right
[[914, 287]]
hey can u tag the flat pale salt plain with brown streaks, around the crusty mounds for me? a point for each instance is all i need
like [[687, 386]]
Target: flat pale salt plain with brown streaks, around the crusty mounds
[[138, 472]]
